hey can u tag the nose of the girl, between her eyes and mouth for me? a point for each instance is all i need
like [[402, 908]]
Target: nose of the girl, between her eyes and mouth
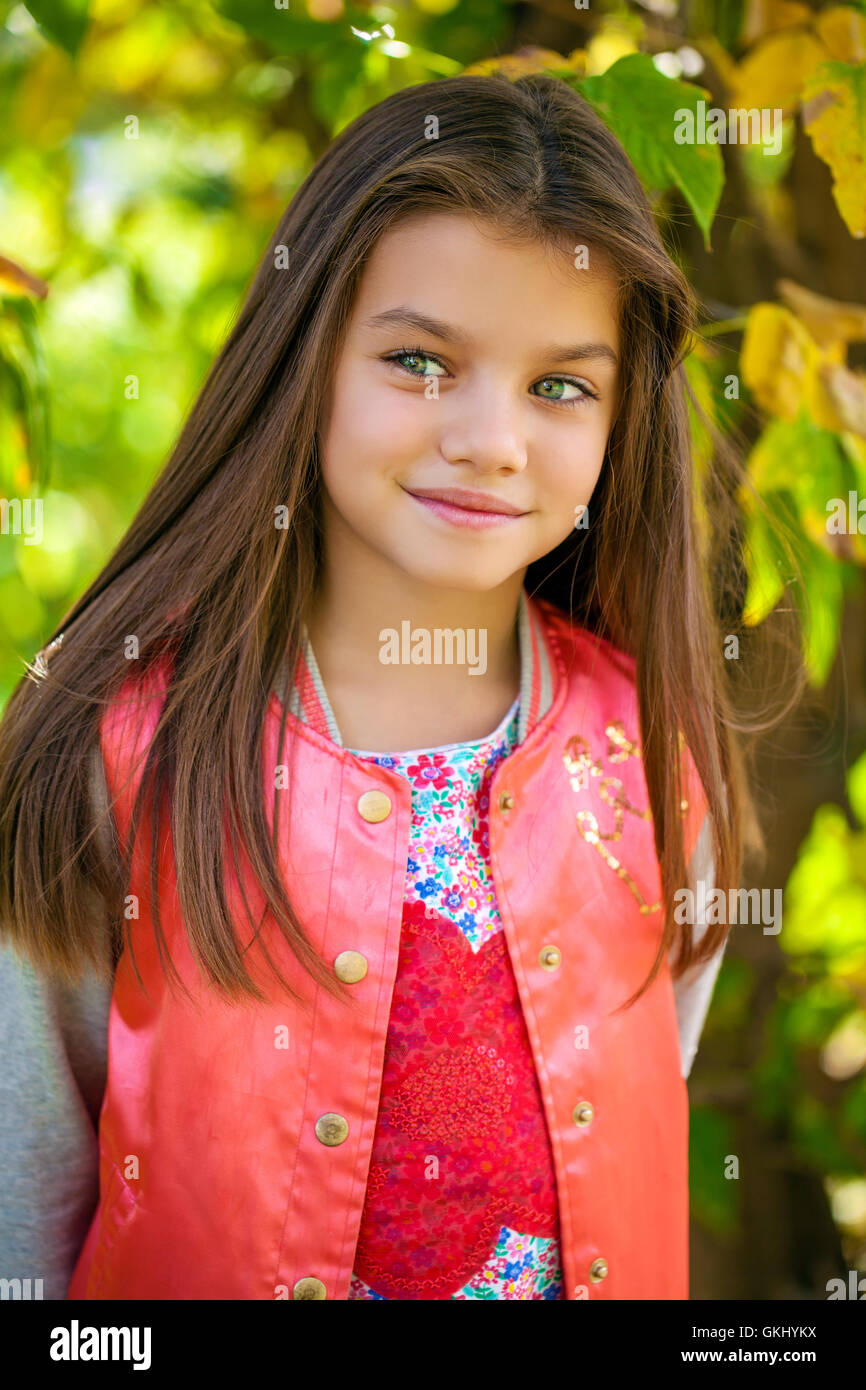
[[486, 427]]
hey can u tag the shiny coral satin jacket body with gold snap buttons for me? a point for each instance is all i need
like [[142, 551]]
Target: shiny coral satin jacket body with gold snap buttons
[[236, 1139]]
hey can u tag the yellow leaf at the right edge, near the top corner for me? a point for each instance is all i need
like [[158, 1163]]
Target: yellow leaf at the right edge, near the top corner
[[835, 116]]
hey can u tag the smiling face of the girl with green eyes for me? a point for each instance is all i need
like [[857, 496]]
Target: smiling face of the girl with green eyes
[[471, 407]]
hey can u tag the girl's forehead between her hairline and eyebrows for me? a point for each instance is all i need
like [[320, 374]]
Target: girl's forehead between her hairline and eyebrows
[[480, 279]]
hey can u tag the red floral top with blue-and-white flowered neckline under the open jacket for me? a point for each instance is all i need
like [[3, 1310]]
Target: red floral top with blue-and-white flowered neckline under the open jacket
[[462, 1192]]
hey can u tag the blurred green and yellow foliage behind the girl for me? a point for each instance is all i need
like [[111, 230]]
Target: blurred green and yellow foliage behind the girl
[[148, 149]]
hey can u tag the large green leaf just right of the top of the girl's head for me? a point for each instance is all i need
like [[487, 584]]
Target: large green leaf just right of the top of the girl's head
[[643, 108]]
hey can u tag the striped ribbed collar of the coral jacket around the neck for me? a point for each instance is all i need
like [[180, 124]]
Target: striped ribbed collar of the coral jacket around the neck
[[311, 705]]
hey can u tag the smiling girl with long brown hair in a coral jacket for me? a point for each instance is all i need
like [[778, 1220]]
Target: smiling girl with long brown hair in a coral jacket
[[402, 710]]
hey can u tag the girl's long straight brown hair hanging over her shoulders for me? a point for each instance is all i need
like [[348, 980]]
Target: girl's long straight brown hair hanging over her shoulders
[[205, 573]]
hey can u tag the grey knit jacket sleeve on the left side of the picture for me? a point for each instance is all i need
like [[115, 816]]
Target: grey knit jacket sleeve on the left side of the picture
[[54, 1043]]
